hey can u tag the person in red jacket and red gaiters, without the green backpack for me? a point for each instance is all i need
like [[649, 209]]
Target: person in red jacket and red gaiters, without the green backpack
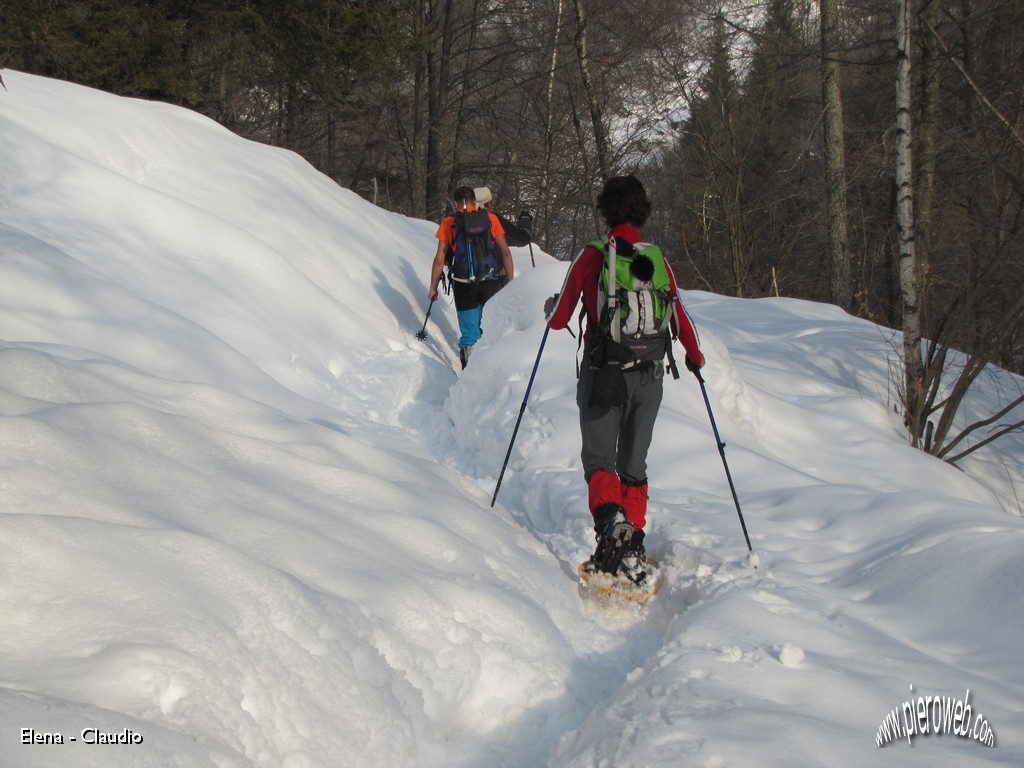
[[617, 433]]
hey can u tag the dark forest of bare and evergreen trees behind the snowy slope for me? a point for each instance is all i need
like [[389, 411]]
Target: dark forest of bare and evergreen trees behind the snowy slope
[[769, 134]]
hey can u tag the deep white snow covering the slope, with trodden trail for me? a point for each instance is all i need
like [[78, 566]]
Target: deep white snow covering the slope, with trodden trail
[[246, 515]]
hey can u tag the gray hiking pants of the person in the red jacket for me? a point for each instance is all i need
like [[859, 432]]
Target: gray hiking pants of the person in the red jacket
[[617, 440]]
